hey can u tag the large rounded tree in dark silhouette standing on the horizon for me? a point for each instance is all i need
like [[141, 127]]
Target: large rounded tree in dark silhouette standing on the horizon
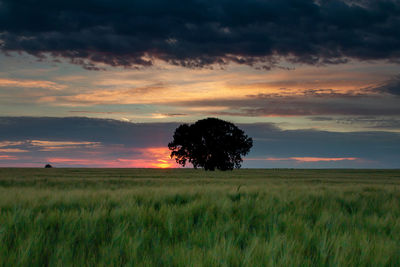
[[211, 144]]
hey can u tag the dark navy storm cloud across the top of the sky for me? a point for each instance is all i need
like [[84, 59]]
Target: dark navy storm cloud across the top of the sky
[[196, 33]]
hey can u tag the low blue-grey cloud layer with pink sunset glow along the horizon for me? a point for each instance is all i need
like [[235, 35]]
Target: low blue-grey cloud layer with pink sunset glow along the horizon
[[88, 142]]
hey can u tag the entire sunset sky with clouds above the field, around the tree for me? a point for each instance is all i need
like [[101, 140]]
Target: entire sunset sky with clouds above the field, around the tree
[[316, 84]]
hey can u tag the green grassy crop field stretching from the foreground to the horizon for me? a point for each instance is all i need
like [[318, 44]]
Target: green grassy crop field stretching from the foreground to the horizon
[[145, 217]]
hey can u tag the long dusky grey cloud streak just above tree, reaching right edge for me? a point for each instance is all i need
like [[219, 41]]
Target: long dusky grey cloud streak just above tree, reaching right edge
[[280, 106]]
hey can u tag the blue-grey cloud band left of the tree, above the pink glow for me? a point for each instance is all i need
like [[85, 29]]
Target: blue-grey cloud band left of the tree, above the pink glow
[[75, 130]]
